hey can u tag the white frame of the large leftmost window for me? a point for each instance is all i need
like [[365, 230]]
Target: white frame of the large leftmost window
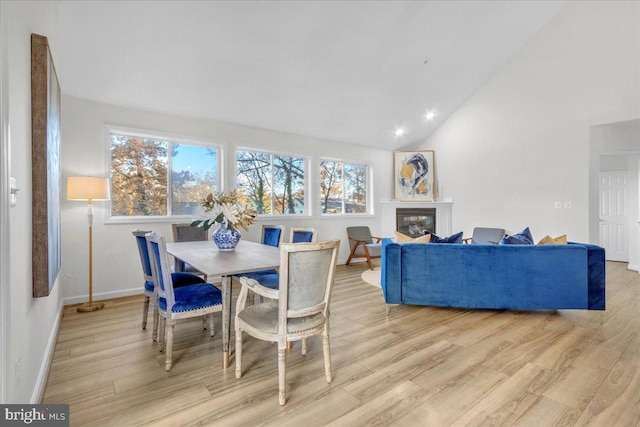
[[172, 139]]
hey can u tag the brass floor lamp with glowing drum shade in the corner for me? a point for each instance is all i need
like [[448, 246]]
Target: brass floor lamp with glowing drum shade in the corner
[[88, 188]]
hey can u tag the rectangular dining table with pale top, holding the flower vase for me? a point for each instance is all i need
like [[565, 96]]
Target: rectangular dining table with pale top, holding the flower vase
[[205, 257]]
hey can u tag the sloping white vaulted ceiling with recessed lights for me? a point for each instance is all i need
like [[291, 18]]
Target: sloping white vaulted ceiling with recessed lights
[[348, 71]]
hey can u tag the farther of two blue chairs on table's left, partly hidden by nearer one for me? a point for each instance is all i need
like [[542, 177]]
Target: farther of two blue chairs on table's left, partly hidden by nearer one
[[179, 279]]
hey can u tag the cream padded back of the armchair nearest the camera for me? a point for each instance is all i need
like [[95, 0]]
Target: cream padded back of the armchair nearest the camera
[[307, 273]]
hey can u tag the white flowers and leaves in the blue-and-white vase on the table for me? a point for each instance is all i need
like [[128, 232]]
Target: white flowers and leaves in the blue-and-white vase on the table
[[226, 208]]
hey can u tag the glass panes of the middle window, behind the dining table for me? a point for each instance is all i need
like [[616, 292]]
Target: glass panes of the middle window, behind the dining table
[[274, 184]]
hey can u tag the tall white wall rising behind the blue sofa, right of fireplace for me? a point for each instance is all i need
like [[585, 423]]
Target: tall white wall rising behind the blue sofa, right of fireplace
[[522, 141]]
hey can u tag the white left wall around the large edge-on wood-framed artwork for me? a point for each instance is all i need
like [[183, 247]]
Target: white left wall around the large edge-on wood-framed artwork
[[32, 321]]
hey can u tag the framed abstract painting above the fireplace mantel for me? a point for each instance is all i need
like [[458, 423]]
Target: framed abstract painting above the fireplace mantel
[[414, 175]]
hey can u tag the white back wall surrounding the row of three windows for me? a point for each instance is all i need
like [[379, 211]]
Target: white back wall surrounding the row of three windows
[[116, 267]]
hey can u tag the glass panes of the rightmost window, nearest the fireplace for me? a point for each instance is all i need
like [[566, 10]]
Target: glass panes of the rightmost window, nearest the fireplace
[[343, 188]]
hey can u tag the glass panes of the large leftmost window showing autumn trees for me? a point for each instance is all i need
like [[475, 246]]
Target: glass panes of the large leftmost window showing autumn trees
[[160, 177]]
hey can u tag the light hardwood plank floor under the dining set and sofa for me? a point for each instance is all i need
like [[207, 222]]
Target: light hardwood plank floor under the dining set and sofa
[[421, 366]]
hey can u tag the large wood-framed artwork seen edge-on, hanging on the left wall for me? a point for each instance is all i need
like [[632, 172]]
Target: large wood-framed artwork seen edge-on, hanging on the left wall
[[45, 167]]
